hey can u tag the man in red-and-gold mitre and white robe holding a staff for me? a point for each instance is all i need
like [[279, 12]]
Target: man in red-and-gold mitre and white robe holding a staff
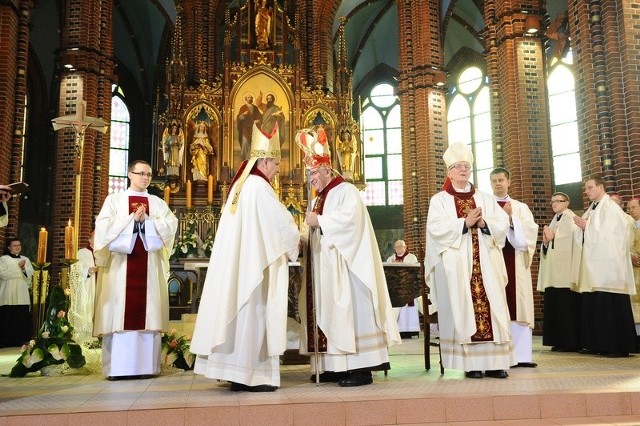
[[348, 288]]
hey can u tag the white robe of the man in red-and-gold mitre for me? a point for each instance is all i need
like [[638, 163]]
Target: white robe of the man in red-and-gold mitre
[[353, 305]]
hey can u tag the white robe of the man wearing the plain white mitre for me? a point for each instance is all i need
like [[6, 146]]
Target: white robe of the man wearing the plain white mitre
[[448, 268]]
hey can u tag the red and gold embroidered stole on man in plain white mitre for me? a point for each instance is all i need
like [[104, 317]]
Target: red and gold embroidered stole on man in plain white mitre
[[482, 311]]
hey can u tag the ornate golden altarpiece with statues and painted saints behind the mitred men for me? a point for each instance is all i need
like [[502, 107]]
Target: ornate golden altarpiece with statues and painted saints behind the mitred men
[[203, 129]]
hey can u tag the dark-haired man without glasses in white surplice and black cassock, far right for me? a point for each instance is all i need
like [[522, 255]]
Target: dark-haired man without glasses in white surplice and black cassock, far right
[[603, 272]]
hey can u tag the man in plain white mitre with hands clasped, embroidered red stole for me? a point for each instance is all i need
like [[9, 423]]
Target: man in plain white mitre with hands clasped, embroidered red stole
[[465, 272]]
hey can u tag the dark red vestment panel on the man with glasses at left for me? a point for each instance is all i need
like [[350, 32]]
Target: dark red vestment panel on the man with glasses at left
[[135, 308]]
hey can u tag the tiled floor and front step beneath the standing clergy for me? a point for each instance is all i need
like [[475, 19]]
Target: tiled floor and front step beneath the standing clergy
[[565, 389]]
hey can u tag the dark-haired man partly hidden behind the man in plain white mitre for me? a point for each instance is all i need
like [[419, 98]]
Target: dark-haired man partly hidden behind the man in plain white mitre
[[518, 254]]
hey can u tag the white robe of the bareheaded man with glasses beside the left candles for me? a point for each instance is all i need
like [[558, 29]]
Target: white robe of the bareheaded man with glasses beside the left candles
[[131, 351]]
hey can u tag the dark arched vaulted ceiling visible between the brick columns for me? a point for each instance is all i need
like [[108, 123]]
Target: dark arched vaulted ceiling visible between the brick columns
[[371, 33]]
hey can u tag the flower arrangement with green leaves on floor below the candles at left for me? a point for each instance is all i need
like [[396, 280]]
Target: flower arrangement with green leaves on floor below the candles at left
[[53, 343]]
